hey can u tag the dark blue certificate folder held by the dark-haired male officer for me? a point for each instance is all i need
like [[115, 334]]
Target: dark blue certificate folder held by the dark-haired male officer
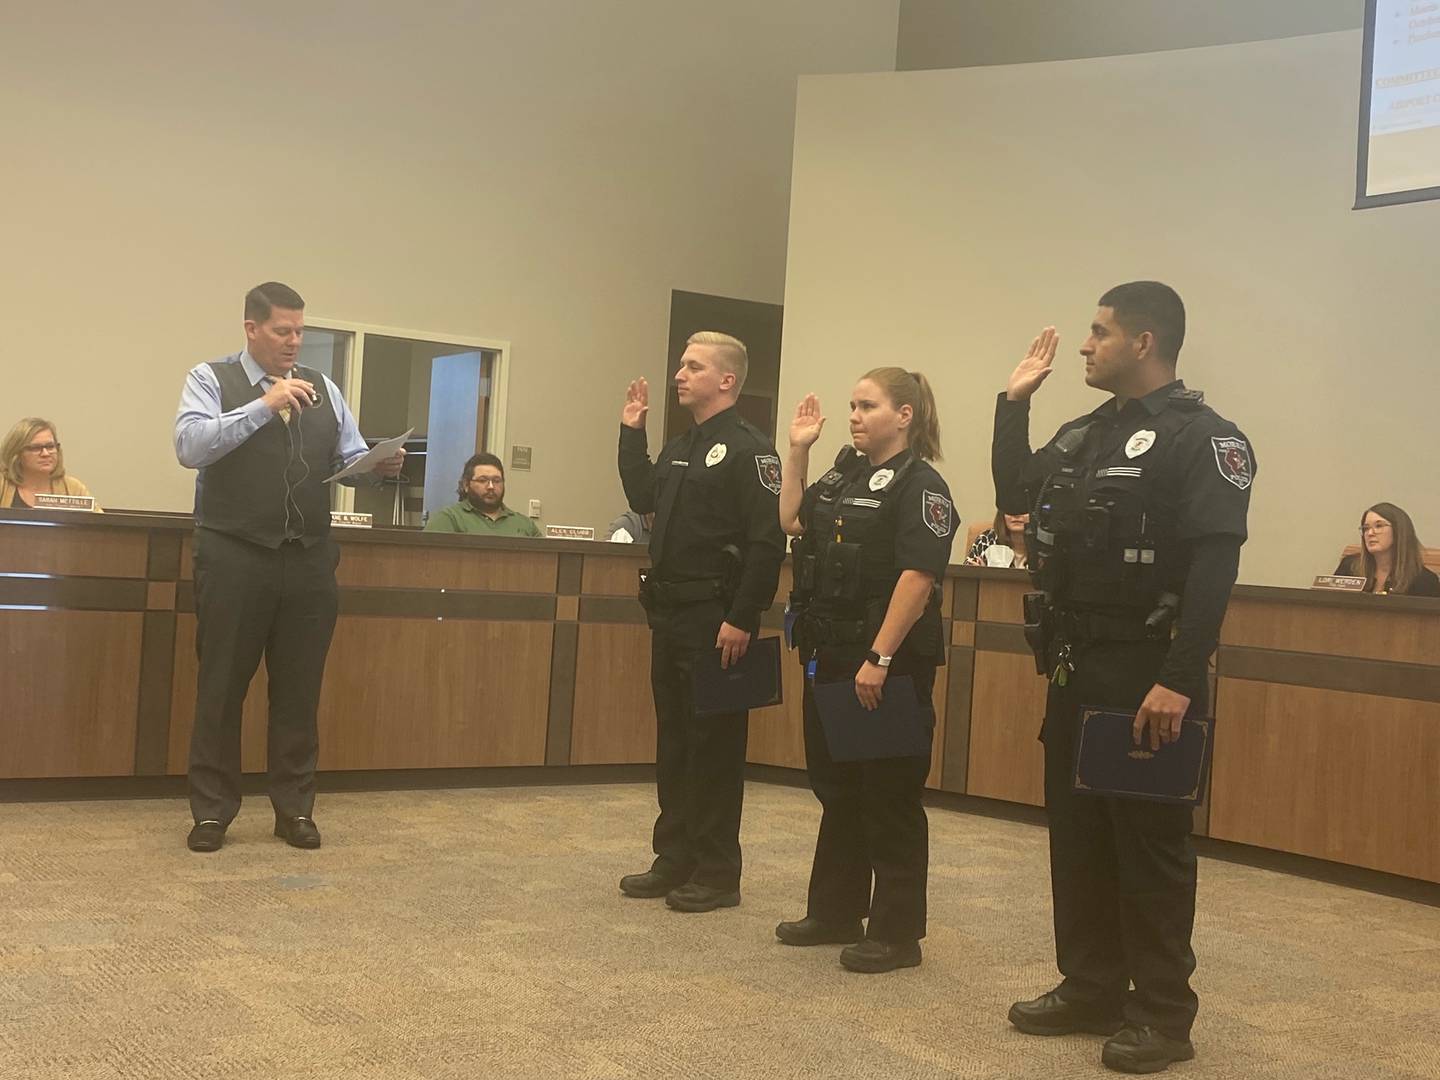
[[1108, 762]]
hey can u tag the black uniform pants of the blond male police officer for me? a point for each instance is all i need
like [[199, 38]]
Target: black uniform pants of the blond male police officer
[[699, 760]]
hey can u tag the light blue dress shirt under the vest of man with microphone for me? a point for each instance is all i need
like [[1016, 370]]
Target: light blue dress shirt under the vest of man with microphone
[[205, 434]]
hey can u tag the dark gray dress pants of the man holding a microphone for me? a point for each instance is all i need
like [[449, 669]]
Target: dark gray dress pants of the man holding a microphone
[[253, 603]]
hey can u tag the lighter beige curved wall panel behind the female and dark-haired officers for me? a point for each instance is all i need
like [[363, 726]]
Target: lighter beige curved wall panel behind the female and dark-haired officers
[[940, 220]]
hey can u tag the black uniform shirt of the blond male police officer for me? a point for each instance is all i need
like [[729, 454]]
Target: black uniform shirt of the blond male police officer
[[726, 479]]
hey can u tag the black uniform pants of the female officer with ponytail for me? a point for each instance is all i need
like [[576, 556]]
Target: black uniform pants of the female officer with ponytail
[[873, 827]]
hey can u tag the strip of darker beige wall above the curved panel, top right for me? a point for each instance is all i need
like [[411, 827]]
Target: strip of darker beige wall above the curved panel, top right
[[960, 34]]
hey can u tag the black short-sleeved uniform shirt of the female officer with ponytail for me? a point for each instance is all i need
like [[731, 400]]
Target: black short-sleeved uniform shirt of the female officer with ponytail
[[915, 534]]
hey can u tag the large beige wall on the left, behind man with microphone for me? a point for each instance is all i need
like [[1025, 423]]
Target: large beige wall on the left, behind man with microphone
[[542, 174]]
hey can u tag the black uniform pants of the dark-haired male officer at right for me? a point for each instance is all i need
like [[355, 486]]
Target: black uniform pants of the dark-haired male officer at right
[[1122, 872]]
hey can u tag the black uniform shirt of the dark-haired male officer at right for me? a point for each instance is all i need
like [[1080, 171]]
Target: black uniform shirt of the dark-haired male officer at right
[[1193, 472]]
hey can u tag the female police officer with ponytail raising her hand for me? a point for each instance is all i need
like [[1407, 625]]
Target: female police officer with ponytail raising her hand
[[875, 538]]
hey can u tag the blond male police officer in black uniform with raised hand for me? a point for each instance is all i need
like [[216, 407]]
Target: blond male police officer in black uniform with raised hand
[[716, 552]]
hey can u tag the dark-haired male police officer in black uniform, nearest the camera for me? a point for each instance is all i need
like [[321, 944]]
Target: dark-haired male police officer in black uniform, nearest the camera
[[1138, 513]]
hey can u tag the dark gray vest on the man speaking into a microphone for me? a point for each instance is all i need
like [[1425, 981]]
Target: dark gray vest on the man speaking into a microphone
[[271, 487]]
